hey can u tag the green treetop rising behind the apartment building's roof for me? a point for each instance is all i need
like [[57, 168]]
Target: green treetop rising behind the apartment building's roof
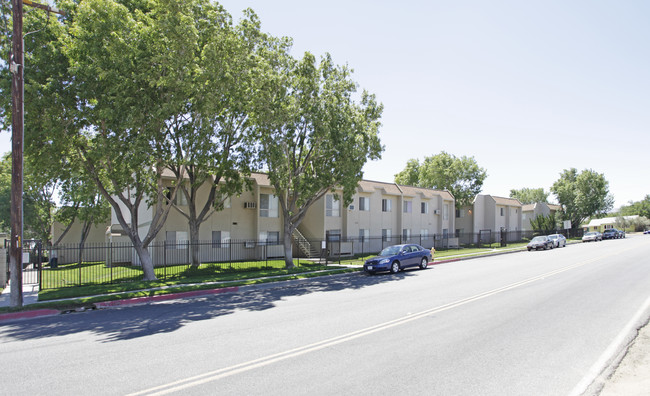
[[463, 177]]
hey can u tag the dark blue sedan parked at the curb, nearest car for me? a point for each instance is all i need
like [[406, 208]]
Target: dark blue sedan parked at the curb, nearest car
[[397, 257]]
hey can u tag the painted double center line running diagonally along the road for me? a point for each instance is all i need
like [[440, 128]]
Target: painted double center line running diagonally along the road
[[200, 379]]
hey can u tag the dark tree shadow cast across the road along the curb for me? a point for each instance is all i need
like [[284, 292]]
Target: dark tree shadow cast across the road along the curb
[[148, 319]]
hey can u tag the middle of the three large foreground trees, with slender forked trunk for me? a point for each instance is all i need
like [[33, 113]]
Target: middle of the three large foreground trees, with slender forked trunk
[[213, 145]]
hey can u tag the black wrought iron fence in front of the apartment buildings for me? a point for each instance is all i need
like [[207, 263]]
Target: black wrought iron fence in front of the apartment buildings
[[92, 264]]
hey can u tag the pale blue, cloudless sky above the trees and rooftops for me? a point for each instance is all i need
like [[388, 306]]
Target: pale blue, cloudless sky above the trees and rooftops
[[526, 88]]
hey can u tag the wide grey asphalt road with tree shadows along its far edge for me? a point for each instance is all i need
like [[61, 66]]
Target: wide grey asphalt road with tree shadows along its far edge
[[530, 323]]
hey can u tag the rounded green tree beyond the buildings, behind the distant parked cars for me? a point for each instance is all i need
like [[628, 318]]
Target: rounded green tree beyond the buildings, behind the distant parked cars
[[582, 195]]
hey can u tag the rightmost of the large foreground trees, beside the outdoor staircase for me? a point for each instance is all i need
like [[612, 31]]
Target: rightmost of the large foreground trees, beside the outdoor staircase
[[314, 137]]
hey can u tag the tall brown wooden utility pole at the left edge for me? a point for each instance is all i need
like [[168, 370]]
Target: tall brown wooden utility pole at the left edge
[[17, 68]]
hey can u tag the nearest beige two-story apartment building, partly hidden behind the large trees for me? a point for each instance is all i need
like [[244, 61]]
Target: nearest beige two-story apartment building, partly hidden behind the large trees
[[380, 214]]
